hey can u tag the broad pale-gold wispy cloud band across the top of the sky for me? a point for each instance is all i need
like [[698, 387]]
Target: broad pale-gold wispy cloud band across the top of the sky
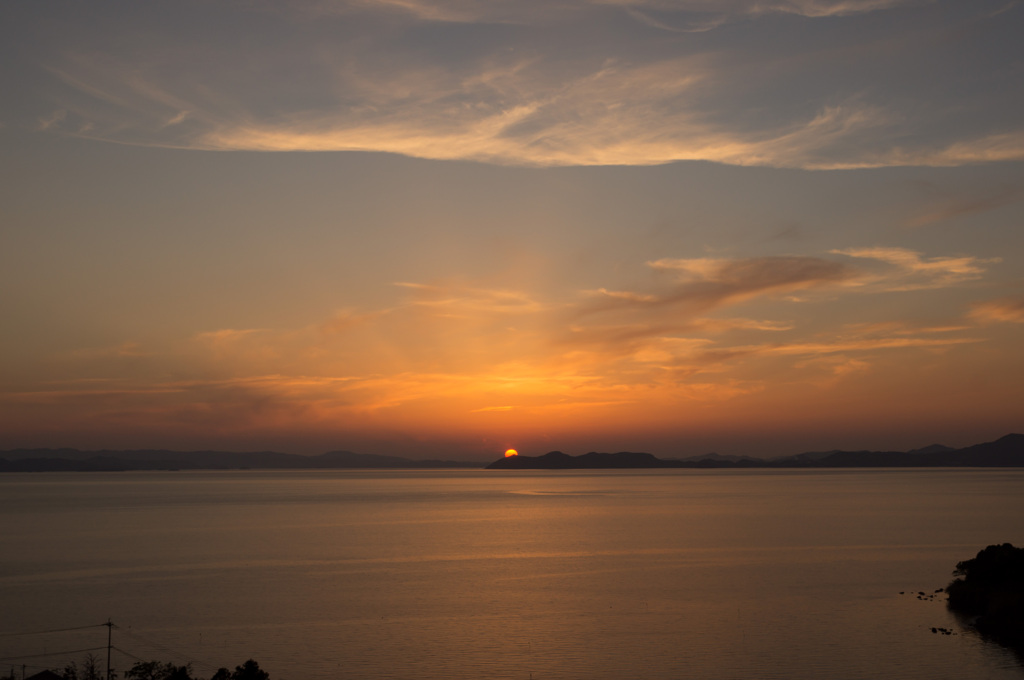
[[376, 79]]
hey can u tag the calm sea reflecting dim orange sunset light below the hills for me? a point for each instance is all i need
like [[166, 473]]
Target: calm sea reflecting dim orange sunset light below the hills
[[489, 575]]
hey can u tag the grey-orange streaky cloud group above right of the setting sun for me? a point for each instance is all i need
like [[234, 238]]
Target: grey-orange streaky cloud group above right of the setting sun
[[675, 323]]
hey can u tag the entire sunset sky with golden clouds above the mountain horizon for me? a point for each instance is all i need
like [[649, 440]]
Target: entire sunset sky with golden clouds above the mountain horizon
[[441, 229]]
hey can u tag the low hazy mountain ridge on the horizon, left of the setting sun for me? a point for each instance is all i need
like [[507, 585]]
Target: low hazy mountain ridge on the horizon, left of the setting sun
[[73, 460]]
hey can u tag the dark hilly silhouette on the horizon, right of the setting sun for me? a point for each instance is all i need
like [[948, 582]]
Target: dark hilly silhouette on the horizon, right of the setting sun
[[1006, 452]]
